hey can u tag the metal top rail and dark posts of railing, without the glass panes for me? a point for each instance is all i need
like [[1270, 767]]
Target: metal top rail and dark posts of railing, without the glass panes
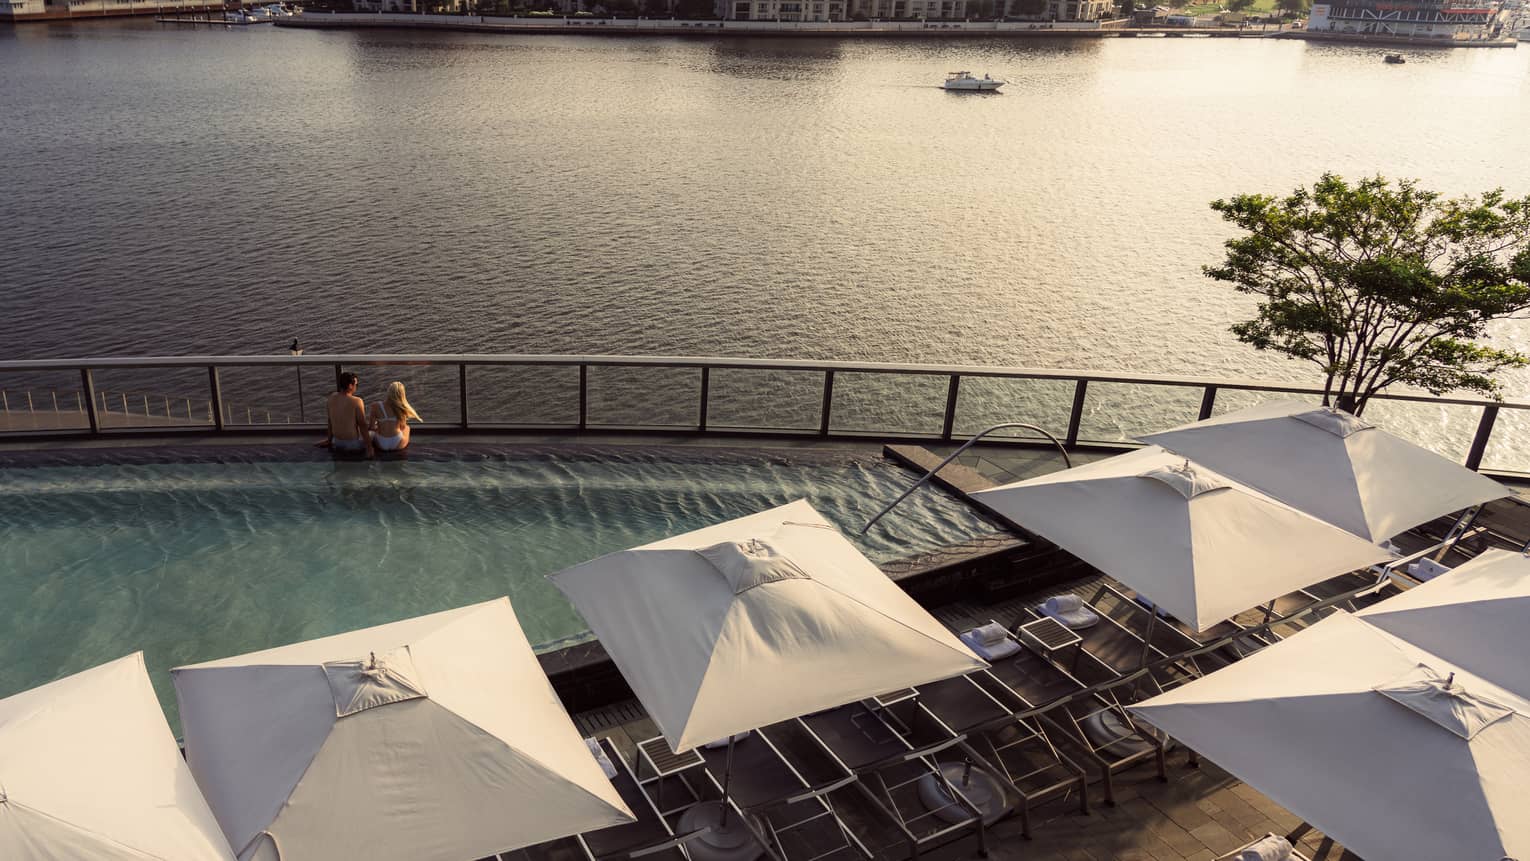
[[706, 365]]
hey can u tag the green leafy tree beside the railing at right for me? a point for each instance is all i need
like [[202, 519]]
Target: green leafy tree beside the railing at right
[[1381, 284]]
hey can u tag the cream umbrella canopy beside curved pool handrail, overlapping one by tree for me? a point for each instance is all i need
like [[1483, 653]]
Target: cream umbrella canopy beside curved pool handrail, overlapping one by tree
[[1197, 544]]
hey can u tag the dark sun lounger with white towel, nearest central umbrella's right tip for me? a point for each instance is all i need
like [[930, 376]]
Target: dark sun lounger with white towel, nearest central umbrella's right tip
[[1092, 721]]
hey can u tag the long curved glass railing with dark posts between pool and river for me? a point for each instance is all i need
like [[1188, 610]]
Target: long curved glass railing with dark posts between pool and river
[[695, 395]]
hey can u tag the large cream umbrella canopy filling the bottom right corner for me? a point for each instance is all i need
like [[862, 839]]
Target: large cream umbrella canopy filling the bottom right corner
[[1370, 739]]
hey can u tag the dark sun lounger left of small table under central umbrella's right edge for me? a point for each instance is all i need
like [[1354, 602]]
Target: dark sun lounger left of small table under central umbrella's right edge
[[894, 747]]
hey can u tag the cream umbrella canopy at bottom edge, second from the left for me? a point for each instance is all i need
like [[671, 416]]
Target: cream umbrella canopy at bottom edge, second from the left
[[435, 738]]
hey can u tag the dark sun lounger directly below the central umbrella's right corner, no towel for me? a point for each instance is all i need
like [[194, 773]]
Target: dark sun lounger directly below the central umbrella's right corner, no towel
[[1014, 749]]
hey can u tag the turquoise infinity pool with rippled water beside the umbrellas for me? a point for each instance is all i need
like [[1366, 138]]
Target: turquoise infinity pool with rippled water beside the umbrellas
[[235, 553]]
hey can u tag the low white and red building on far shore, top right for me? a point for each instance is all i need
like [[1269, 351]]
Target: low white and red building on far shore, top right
[[1410, 19]]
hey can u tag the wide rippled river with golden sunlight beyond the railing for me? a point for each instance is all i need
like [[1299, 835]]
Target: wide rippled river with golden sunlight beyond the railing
[[189, 190]]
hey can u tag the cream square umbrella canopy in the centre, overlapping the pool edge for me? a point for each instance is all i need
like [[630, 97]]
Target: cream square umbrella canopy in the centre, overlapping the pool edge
[[755, 622]]
